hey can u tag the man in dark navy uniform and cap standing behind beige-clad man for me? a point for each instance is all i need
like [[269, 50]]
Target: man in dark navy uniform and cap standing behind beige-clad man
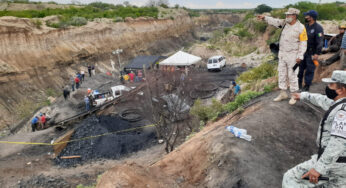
[[314, 49]]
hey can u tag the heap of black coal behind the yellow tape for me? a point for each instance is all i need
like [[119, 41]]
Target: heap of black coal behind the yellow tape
[[112, 146]]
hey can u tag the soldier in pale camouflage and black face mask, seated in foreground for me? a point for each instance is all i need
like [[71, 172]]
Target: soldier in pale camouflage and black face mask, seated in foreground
[[330, 162]]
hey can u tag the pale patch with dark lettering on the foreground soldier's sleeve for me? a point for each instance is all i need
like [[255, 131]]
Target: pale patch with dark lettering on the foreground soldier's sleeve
[[339, 124]]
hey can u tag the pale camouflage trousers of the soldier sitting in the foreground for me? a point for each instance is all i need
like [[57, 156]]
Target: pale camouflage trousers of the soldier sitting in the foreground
[[337, 176]]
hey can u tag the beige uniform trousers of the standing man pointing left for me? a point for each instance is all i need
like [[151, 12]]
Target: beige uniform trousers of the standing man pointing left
[[288, 77]]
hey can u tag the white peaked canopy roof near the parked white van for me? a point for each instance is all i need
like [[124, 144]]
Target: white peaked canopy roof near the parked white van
[[181, 59]]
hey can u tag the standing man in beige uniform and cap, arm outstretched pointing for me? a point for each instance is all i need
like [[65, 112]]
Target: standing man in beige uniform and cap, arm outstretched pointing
[[292, 48]]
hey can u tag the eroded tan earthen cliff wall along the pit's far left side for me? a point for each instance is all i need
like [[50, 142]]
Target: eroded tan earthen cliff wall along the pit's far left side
[[34, 59]]
